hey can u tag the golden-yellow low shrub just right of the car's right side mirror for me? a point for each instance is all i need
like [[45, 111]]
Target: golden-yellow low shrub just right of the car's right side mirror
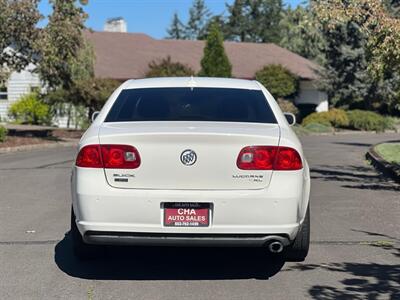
[[334, 117]]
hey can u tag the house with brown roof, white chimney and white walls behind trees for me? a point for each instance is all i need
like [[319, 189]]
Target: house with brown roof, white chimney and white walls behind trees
[[121, 55]]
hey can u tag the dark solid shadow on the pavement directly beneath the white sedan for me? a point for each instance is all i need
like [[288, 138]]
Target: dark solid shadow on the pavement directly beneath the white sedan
[[161, 263]]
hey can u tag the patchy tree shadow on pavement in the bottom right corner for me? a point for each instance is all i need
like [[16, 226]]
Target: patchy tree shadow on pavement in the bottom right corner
[[364, 280]]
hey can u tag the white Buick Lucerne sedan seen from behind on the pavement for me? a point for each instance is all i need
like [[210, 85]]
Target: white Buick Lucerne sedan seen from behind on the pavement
[[191, 162]]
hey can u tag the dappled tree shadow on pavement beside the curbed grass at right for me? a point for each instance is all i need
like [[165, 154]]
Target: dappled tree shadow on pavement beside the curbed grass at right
[[354, 177]]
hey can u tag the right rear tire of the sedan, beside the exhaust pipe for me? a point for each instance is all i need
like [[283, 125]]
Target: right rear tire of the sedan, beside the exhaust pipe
[[298, 251]]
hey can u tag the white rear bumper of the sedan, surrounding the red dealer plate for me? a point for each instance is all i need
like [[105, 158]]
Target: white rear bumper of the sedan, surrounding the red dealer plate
[[108, 215]]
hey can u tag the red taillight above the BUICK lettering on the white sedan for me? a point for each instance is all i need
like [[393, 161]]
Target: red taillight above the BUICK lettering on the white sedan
[[108, 157]]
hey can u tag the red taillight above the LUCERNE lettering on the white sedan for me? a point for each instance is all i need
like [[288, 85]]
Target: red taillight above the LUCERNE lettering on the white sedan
[[269, 158]]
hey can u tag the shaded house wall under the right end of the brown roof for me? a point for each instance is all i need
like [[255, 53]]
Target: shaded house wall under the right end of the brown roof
[[309, 94]]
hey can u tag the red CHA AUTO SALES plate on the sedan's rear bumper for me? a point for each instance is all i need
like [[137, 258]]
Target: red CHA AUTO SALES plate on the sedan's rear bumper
[[186, 214]]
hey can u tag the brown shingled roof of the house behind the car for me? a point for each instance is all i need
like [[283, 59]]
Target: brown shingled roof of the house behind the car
[[127, 55]]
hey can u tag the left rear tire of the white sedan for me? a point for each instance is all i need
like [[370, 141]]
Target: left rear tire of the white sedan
[[81, 250]]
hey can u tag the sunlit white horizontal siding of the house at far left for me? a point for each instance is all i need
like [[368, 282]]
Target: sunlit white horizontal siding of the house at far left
[[19, 84]]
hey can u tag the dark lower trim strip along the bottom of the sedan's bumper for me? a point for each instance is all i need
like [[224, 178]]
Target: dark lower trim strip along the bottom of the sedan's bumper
[[186, 240]]
